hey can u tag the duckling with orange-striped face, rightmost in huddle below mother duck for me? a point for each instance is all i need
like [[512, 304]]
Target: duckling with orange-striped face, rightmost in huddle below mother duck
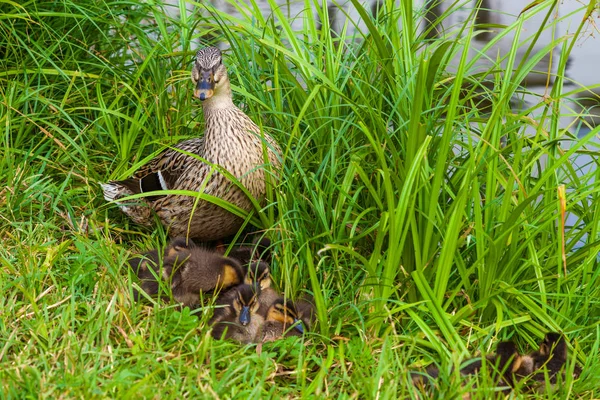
[[281, 320]]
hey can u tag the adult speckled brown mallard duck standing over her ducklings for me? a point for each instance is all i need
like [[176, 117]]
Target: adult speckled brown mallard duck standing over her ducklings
[[231, 140]]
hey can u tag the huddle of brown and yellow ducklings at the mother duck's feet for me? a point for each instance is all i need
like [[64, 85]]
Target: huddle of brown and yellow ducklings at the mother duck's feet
[[247, 310]]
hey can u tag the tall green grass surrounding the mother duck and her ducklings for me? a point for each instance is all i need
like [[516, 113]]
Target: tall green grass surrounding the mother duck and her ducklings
[[426, 227]]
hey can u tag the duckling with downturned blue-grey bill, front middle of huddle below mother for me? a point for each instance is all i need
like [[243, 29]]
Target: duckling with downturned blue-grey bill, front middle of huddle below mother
[[238, 316]]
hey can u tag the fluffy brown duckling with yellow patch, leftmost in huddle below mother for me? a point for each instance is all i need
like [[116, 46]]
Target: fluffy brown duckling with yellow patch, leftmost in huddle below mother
[[190, 270]]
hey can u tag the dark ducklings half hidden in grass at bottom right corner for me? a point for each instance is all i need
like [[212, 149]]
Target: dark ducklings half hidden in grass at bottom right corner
[[510, 369]]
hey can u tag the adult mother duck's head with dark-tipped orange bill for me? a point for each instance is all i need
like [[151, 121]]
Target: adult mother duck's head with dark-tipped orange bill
[[208, 73]]
